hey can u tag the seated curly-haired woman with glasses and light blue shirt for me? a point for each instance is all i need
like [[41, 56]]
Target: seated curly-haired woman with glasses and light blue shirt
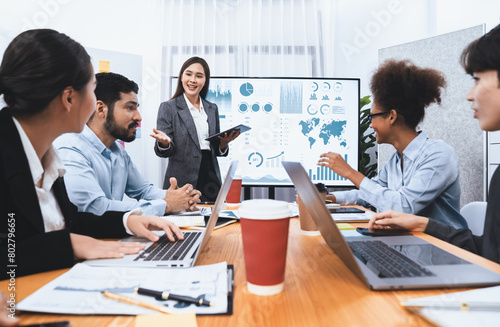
[[421, 177]]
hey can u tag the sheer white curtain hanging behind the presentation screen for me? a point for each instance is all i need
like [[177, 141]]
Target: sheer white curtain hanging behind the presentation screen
[[252, 38]]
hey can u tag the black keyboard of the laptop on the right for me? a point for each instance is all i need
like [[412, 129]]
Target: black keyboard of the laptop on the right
[[385, 261]]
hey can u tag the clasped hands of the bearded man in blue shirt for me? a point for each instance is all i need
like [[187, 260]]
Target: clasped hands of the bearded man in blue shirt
[[184, 198]]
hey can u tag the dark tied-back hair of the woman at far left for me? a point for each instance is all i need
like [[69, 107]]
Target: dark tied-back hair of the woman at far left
[[37, 66]]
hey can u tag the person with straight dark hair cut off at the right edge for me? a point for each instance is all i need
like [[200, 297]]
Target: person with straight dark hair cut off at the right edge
[[480, 59]]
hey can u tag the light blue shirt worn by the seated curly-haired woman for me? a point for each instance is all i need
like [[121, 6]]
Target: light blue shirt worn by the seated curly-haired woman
[[427, 186]]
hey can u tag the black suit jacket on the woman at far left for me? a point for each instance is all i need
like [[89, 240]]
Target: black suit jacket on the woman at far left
[[24, 242]]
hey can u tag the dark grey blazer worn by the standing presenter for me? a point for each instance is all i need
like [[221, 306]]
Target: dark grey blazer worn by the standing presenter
[[184, 153]]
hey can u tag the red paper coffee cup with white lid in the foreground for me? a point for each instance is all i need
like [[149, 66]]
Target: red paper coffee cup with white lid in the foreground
[[264, 229]]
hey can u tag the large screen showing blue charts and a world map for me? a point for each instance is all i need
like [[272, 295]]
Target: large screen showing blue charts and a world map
[[292, 119]]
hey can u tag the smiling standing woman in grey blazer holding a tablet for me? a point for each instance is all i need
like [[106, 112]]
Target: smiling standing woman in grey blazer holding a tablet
[[183, 124]]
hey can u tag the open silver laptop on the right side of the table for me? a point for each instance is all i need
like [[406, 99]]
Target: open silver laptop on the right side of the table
[[413, 262]]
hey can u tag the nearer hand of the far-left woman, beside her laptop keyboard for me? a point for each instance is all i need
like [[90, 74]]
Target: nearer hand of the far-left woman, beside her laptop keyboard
[[85, 247]]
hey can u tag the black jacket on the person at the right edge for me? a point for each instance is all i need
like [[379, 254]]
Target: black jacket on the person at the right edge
[[486, 245]]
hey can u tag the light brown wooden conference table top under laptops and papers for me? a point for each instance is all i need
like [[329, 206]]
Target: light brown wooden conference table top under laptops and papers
[[319, 289]]
